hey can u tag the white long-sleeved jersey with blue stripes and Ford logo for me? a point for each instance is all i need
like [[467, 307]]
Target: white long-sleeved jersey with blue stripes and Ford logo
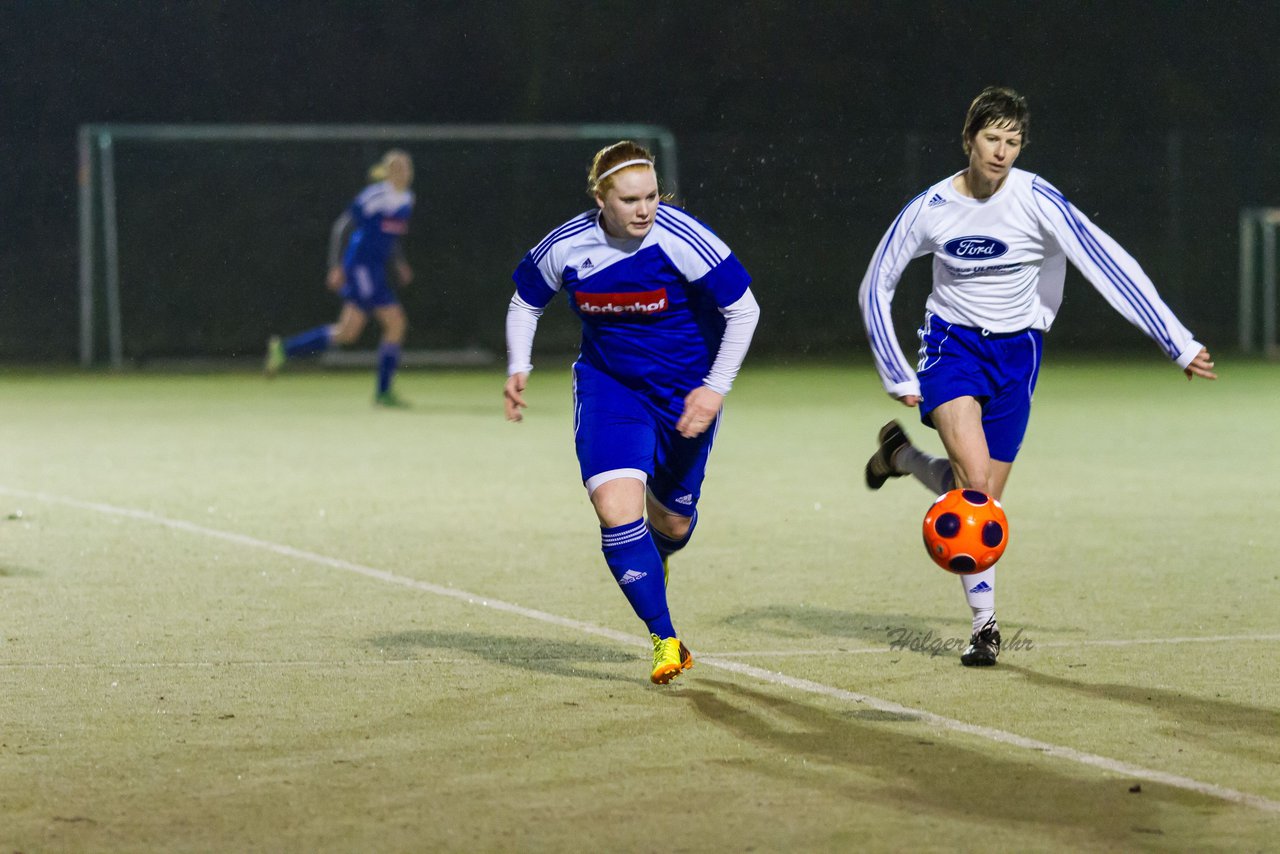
[[999, 264]]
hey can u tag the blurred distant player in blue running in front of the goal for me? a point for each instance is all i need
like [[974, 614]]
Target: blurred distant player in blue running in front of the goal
[[371, 231]]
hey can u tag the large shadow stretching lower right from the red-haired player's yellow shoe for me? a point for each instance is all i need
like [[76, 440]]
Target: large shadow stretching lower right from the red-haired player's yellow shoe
[[930, 773]]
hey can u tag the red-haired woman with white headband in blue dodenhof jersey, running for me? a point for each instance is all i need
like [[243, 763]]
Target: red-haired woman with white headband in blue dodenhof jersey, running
[[668, 317]]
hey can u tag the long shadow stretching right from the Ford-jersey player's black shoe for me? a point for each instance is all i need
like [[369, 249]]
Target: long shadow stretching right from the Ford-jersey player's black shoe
[[1218, 725]]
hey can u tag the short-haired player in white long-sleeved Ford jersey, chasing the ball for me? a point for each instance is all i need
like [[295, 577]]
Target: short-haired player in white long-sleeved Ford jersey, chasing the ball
[[1000, 240]]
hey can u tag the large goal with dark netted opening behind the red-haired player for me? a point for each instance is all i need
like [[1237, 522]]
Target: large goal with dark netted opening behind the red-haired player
[[198, 243]]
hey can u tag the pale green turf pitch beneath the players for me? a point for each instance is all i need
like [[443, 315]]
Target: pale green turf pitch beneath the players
[[228, 628]]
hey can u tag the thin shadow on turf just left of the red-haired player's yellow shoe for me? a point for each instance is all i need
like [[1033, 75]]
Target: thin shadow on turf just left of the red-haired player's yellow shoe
[[575, 659]]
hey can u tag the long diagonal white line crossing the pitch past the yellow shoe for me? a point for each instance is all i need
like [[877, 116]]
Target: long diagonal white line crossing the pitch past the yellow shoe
[[1002, 737]]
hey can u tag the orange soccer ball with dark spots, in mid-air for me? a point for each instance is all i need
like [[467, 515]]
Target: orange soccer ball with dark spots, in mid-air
[[966, 532]]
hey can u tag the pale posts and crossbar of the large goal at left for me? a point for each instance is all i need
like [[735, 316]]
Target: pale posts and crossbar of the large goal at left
[[97, 179]]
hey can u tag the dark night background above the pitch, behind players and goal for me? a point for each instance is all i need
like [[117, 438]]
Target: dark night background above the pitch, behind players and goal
[[803, 127]]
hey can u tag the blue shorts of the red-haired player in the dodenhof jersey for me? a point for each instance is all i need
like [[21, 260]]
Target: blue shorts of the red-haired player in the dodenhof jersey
[[618, 428]]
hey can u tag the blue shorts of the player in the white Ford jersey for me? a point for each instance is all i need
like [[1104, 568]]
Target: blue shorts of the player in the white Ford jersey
[[998, 369]]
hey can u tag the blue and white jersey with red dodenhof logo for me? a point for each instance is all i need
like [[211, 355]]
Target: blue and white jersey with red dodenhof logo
[[651, 307]]
